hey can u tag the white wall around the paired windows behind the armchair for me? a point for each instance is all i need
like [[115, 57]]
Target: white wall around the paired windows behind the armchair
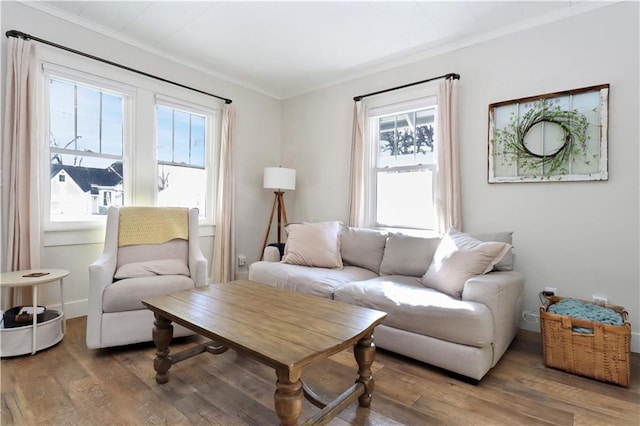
[[256, 141]]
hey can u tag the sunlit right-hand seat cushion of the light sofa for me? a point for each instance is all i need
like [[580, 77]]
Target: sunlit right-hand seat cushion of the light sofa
[[412, 307]]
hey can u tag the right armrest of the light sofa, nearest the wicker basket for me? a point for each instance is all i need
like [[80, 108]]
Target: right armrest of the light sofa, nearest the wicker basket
[[502, 293]]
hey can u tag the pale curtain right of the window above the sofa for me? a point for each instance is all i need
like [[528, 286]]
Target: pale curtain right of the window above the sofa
[[448, 175]]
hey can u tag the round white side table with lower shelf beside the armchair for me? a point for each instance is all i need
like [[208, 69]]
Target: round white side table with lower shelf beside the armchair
[[35, 278]]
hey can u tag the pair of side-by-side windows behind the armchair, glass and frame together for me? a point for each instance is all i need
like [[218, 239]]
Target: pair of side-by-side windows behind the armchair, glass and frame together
[[115, 139]]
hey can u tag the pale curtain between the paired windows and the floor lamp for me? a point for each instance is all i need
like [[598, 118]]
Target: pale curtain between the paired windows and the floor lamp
[[222, 265]]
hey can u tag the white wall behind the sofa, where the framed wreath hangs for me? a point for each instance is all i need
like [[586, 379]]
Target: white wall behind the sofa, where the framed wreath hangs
[[580, 237]]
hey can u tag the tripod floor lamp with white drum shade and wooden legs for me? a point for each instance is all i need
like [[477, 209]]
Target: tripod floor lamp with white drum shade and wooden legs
[[279, 179]]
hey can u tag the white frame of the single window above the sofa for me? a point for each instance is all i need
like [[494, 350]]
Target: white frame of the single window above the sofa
[[394, 104]]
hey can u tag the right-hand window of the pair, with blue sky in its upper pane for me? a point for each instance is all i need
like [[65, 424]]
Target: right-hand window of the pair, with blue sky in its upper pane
[[181, 163]]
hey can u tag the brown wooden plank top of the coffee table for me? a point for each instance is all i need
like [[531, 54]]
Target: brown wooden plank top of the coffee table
[[280, 327]]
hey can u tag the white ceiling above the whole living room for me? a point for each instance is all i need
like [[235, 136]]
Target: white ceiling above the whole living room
[[287, 48]]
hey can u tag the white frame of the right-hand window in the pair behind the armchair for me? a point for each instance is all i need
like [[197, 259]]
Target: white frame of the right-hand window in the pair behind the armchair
[[212, 142]]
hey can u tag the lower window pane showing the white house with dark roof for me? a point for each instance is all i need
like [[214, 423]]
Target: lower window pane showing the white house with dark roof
[[83, 187]]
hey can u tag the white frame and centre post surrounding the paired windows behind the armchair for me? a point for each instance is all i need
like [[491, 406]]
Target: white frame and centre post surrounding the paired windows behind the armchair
[[140, 168]]
